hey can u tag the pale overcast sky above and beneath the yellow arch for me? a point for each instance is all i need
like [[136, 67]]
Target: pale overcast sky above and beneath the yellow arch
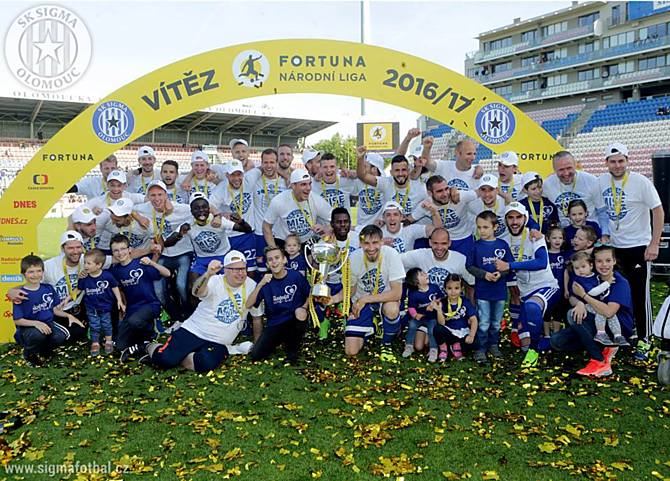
[[131, 39]]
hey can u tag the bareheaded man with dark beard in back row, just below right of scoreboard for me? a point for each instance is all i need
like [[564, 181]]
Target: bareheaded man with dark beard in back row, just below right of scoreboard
[[399, 188]]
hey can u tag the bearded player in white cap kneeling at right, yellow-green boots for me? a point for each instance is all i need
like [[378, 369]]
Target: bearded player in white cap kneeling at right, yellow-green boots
[[537, 285]]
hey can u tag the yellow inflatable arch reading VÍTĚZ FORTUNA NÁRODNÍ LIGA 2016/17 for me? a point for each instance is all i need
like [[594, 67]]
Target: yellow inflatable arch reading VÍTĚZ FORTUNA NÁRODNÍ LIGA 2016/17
[[244, 71]]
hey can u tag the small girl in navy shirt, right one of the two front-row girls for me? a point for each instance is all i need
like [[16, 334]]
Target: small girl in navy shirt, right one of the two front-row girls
[[422, 308]]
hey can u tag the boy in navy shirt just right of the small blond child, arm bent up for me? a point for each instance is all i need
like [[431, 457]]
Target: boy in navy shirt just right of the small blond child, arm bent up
[[136, 278]]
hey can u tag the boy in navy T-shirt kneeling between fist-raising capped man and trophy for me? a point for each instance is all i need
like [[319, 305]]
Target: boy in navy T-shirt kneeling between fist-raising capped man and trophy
[[285, 294]]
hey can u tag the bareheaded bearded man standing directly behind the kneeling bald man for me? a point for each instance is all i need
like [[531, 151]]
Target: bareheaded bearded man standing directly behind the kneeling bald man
[[452, 209]]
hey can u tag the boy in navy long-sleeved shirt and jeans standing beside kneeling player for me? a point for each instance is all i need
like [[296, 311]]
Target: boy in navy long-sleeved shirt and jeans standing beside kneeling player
[[490, 285]]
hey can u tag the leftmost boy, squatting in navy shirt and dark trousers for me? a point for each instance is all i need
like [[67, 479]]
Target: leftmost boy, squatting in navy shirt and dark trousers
[[36, 330]]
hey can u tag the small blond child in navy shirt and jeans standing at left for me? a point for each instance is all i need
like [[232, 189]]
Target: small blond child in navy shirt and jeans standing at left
[[101, 292]]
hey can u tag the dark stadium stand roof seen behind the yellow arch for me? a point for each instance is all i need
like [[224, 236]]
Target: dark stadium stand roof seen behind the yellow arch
[[27, 110]]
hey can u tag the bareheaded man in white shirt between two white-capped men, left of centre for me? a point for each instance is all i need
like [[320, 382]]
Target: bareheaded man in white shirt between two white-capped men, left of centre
[[266, 185]]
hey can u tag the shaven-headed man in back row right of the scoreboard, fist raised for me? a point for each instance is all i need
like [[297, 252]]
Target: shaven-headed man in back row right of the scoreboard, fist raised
[[460, 172]]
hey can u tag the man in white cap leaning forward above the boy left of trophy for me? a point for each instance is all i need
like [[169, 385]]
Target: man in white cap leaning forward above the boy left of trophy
[[296, 211]]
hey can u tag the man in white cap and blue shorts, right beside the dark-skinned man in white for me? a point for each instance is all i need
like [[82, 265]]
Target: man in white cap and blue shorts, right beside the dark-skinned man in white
[[235, 197]]
